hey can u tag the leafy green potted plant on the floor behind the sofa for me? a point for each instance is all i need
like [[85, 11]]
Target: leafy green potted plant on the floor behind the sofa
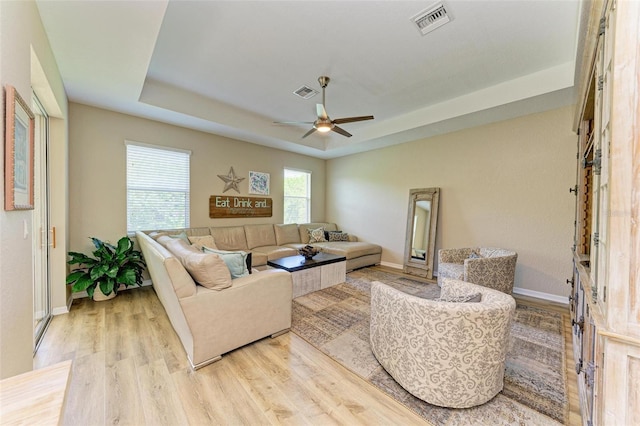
[[112, 266]]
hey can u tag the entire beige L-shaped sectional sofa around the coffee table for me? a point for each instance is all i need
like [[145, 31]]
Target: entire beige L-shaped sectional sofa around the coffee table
[[213, 314]]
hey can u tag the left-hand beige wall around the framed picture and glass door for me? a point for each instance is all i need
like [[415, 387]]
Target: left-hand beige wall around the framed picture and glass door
[[22, 39]]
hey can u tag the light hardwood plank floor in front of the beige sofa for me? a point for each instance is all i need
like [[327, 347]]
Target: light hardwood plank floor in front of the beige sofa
[[129, 368]]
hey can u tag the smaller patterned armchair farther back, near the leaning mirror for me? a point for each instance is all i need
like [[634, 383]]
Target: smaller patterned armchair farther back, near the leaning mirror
[[489, 267]]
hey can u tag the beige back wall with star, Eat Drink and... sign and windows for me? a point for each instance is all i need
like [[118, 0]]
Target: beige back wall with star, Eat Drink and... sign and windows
[[97, 171]]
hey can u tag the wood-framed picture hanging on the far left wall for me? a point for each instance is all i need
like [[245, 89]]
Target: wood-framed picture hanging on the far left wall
[[18, 152]]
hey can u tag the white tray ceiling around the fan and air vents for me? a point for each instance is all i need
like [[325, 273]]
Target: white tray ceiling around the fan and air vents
[[230, 67]]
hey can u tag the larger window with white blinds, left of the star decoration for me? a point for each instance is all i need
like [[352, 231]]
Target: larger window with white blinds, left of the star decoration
[[157, 187]]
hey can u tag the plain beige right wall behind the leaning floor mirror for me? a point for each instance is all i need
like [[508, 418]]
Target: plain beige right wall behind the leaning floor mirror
[[504, 185]]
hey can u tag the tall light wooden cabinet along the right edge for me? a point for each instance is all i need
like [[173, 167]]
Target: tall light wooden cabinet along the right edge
[[605, 296]]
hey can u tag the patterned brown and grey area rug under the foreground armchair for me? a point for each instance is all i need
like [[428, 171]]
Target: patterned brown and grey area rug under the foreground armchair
[[336, 321]]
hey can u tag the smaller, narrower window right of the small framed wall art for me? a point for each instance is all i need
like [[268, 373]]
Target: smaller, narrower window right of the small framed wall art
[[297, 196]]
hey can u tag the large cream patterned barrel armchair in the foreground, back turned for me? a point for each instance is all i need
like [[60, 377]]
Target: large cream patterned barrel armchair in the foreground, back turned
[[445, 353]]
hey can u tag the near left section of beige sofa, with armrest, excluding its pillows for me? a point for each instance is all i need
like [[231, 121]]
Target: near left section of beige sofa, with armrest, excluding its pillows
[[211, 322]]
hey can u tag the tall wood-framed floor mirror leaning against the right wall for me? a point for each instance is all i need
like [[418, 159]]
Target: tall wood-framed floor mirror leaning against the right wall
[[422, 221]]
